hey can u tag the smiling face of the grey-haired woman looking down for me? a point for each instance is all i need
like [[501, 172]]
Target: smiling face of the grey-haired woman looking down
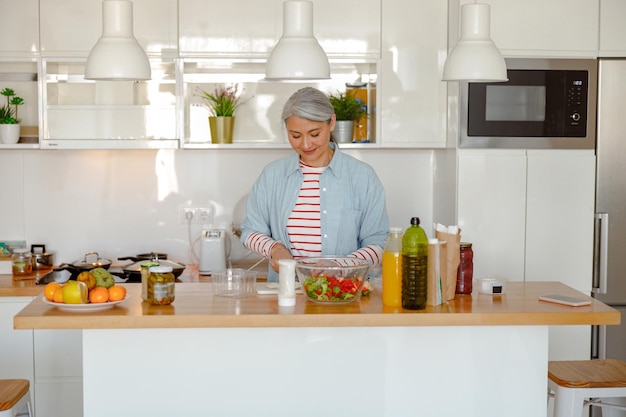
[[310, 140]]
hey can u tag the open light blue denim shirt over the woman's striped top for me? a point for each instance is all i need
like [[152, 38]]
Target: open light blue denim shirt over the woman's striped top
[[352, 204]]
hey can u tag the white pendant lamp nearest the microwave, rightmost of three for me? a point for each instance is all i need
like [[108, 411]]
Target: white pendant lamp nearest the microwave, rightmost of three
[[475, 57]]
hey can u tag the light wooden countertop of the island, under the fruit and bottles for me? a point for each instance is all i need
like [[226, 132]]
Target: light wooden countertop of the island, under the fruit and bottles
[[196, 306]]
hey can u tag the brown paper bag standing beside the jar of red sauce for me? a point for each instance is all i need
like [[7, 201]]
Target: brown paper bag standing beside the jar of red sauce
[[450, 258]]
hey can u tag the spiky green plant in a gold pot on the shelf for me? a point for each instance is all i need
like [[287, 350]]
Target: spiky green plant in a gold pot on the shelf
[[222, 104]]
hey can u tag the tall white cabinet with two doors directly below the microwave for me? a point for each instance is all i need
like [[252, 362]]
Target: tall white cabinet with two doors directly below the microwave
[[529, 215]]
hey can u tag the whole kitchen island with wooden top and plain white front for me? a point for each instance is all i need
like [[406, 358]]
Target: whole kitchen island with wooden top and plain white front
[[208, 355]]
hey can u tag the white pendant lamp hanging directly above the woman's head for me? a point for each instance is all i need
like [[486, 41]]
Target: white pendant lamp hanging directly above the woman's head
[[297, 55]]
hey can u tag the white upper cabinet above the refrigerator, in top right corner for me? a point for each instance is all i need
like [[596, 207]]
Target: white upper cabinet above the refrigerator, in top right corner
[[612, 28]]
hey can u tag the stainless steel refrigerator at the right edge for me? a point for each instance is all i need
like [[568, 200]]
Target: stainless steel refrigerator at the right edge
[[609, 274]]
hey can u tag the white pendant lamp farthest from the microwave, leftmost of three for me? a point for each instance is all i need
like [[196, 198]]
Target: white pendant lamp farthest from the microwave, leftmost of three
[[117, 55]]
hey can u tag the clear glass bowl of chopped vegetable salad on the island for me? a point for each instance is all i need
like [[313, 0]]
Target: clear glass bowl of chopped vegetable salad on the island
[[332, 279]]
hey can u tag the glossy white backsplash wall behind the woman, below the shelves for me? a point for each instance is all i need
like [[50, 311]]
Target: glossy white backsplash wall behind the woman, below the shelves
[[125, 202]]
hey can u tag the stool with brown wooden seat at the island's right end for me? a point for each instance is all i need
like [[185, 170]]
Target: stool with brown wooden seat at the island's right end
[[576, 384]]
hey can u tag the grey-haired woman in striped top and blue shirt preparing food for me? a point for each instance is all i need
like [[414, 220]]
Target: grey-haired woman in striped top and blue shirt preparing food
[[318, 201]]
